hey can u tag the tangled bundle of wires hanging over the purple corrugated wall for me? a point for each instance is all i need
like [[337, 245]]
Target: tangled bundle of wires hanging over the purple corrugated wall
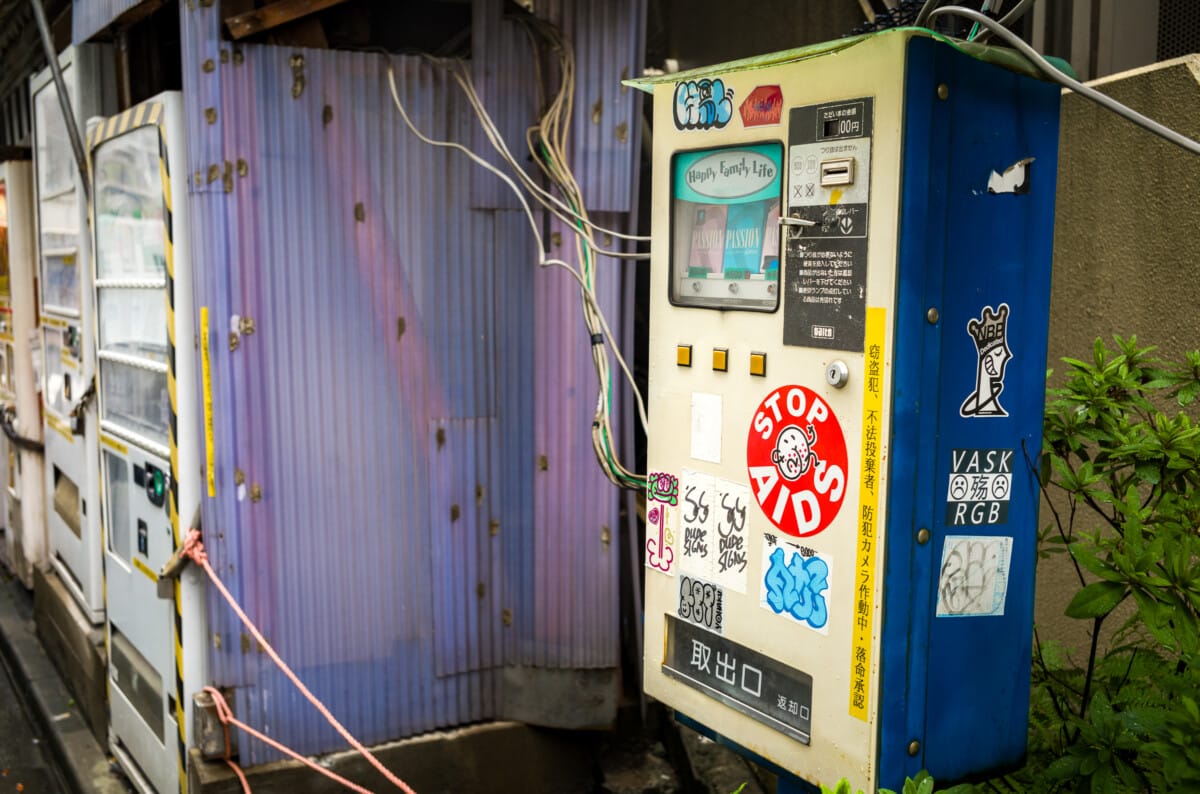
[[548, 143]]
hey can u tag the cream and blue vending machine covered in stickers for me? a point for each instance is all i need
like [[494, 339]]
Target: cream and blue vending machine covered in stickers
[[850, 302]]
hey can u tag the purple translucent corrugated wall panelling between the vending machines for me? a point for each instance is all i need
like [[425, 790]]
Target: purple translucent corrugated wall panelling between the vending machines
[[380, 510]]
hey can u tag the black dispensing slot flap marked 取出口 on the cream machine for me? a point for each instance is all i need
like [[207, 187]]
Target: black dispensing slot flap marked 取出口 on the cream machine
[[741, 678]]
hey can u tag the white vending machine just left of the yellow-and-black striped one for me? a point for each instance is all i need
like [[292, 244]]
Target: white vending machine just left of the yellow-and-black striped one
[[73, 453]]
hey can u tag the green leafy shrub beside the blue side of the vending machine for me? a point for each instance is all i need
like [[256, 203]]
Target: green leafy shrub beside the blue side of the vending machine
[[1123, 453]]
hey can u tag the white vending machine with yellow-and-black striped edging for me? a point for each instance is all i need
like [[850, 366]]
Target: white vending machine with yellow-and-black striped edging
[[149, 435]]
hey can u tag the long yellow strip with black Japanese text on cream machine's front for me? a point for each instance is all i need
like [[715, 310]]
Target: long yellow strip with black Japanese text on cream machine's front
[[868, 516]]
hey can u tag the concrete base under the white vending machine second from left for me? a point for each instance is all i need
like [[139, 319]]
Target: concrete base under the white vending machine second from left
[[76, 647]]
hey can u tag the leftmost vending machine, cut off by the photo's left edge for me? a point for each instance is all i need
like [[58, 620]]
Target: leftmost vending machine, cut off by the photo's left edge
[[22, 494]]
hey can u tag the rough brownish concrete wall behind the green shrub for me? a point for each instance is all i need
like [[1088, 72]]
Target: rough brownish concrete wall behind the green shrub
[[1127, 248]]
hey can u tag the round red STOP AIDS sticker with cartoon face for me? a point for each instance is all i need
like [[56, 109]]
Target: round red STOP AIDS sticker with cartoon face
[[796, 456]]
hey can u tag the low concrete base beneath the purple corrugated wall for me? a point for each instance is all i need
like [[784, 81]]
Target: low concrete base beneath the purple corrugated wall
[[493, 757]]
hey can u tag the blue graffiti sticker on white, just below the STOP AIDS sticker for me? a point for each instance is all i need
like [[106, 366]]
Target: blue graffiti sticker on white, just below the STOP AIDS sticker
[[796, 582]]
